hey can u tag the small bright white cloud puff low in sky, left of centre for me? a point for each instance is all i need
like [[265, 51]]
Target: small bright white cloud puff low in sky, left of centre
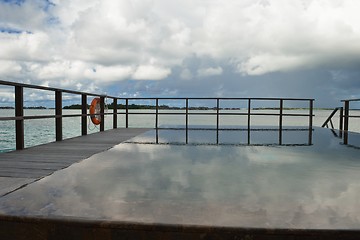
[[148, 72]]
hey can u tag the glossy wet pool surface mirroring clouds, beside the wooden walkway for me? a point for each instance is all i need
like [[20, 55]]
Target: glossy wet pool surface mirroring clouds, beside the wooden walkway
[[301, 186]]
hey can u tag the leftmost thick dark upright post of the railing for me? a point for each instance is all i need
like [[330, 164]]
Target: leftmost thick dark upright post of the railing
[[19, 112]]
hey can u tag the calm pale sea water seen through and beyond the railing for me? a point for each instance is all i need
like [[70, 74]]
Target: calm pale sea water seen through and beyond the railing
[[42, 131]]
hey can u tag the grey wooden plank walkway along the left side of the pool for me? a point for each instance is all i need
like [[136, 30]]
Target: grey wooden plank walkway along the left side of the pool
[[19, 168]]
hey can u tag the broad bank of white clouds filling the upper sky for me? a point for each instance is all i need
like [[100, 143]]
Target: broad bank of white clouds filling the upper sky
[[71, 39]]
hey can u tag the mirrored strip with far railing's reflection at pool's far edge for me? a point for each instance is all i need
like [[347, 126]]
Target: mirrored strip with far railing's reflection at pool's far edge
[[264, 136]]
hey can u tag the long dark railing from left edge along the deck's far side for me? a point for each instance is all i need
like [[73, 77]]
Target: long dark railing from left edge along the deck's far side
[[20, 118]]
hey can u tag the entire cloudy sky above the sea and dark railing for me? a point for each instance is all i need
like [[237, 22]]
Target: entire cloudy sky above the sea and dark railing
[[184, 48]]
